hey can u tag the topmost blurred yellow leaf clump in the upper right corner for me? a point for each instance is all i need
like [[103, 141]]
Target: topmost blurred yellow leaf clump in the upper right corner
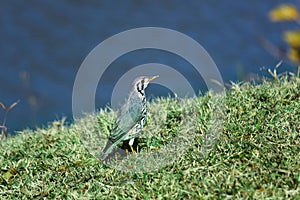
[[284, 12]]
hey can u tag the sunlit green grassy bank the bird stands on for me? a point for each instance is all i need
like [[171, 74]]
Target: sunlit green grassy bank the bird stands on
[[257, 154]]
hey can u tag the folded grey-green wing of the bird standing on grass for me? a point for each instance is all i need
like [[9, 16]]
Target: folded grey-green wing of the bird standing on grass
[[129, 115]]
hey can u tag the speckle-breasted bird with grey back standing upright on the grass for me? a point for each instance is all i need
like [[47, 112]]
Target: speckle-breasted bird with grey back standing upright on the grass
[[131, 117]]
